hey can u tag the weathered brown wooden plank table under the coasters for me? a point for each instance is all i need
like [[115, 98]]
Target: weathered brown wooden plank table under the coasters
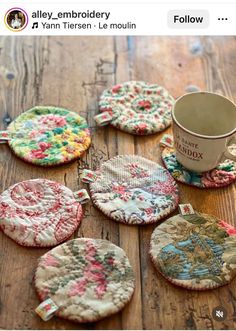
[[72, 72]]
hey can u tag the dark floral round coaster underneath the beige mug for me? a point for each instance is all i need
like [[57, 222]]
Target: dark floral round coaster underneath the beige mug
[[223, 175]]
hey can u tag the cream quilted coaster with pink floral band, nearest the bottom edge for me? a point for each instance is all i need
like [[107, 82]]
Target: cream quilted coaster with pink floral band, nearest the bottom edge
[[87, 279]]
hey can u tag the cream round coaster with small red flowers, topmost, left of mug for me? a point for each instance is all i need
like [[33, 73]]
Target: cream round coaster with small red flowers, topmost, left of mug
[[136, 107]]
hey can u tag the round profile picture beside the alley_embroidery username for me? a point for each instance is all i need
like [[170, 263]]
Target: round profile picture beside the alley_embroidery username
[[16, 19]]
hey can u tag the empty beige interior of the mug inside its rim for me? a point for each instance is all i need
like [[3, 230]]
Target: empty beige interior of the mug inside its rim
[[205, 114]]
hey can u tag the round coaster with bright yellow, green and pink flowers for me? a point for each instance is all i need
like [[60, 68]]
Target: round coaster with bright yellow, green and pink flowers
[[47, 136]]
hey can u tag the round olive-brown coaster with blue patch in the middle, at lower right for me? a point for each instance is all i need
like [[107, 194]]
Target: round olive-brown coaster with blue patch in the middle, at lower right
[[195, 251]]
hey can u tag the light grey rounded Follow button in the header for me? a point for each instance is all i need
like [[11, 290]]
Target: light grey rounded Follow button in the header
[[187, 19]]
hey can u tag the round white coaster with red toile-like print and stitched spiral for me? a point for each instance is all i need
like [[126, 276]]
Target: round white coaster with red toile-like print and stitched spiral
[[40, 212]]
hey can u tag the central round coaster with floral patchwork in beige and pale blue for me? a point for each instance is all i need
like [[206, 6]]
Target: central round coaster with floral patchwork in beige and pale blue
[[132, 190]]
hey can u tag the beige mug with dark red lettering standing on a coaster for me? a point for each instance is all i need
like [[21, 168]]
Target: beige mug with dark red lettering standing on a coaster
[[204, 125]]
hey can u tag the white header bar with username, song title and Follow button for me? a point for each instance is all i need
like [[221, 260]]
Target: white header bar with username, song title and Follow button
[[117, 19]]
